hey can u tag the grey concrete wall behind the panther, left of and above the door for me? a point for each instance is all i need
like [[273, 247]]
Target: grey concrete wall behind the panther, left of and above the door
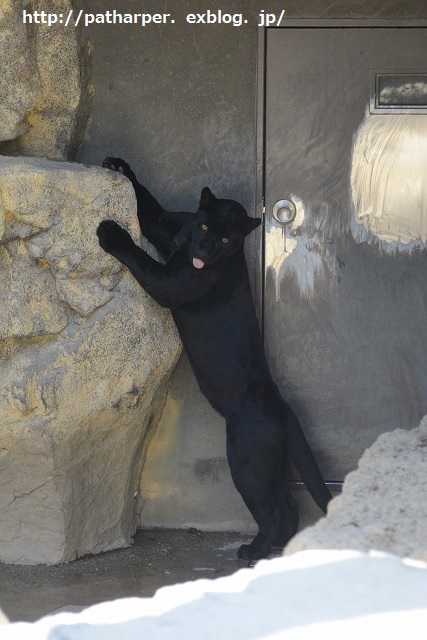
[[179, 103]]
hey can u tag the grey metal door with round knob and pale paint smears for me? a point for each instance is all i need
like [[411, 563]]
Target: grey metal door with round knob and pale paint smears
[[345, 327]]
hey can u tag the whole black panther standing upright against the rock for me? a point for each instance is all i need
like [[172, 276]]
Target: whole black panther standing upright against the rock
[[205, 284]]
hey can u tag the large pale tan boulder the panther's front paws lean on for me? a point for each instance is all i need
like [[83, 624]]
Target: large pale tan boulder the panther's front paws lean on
[[85, 357]]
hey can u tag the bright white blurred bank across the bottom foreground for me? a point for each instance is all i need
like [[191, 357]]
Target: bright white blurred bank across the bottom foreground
[[312, 594]]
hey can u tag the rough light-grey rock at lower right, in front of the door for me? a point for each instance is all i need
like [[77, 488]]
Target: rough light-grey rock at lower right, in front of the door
[[383, 503]]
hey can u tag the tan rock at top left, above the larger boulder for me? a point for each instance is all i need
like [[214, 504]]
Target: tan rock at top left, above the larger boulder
[[45, 113]]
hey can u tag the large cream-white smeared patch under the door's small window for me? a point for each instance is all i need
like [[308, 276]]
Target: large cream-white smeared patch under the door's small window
[[389, 181]]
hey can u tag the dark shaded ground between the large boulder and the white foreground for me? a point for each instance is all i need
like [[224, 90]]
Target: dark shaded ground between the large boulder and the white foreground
[[157, 558]]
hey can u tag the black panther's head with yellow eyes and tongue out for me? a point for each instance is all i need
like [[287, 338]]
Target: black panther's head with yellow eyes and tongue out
[[218, 229]]
